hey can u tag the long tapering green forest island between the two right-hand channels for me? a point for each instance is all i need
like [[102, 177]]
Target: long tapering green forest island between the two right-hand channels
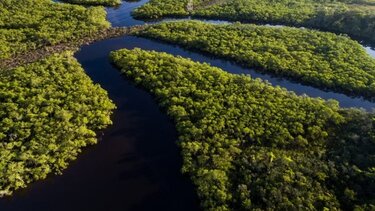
[[318, 58]]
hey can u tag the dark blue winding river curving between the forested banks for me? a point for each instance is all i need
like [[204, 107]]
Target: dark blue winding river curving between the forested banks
[[136, 165]]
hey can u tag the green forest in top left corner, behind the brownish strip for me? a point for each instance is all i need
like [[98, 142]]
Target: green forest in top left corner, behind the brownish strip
[[30, 24]]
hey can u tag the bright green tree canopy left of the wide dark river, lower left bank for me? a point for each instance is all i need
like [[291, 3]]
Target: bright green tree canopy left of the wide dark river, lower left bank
[[49, 110]]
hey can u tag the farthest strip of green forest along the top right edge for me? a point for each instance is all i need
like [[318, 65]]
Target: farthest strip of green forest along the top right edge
[[353, 17]]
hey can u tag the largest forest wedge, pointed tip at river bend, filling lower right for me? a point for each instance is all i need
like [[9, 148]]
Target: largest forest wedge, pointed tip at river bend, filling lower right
[[248, 145]]
